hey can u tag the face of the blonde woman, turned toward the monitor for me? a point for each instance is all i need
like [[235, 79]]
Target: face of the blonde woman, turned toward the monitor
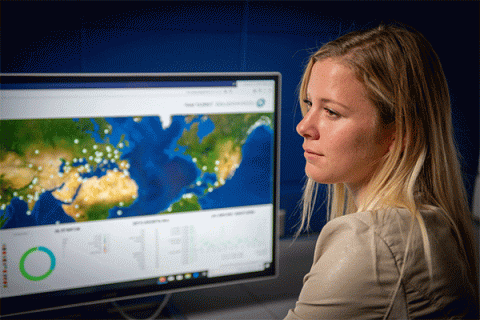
[[343, 140]]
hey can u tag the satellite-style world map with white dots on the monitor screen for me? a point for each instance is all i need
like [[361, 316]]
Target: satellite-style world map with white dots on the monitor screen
[[73, 170]]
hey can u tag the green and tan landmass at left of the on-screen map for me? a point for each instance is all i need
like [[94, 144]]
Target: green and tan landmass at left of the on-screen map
[[61, 155]]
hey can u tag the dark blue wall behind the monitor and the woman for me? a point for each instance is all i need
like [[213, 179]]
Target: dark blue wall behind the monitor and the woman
[[226, 36]]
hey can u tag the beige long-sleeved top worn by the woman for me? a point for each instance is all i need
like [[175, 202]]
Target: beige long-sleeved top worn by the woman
[[342, 281]]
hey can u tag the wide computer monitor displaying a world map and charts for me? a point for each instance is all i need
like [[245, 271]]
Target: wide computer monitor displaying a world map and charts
[[115, 186]]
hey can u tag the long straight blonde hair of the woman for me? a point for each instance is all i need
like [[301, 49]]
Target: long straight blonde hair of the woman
[[404, 80]]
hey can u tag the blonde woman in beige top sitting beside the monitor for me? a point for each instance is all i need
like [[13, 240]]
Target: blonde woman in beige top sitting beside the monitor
[[377, 129]]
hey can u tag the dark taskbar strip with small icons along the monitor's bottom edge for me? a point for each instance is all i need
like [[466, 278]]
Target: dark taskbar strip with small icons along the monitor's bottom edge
[[43, 302]]
